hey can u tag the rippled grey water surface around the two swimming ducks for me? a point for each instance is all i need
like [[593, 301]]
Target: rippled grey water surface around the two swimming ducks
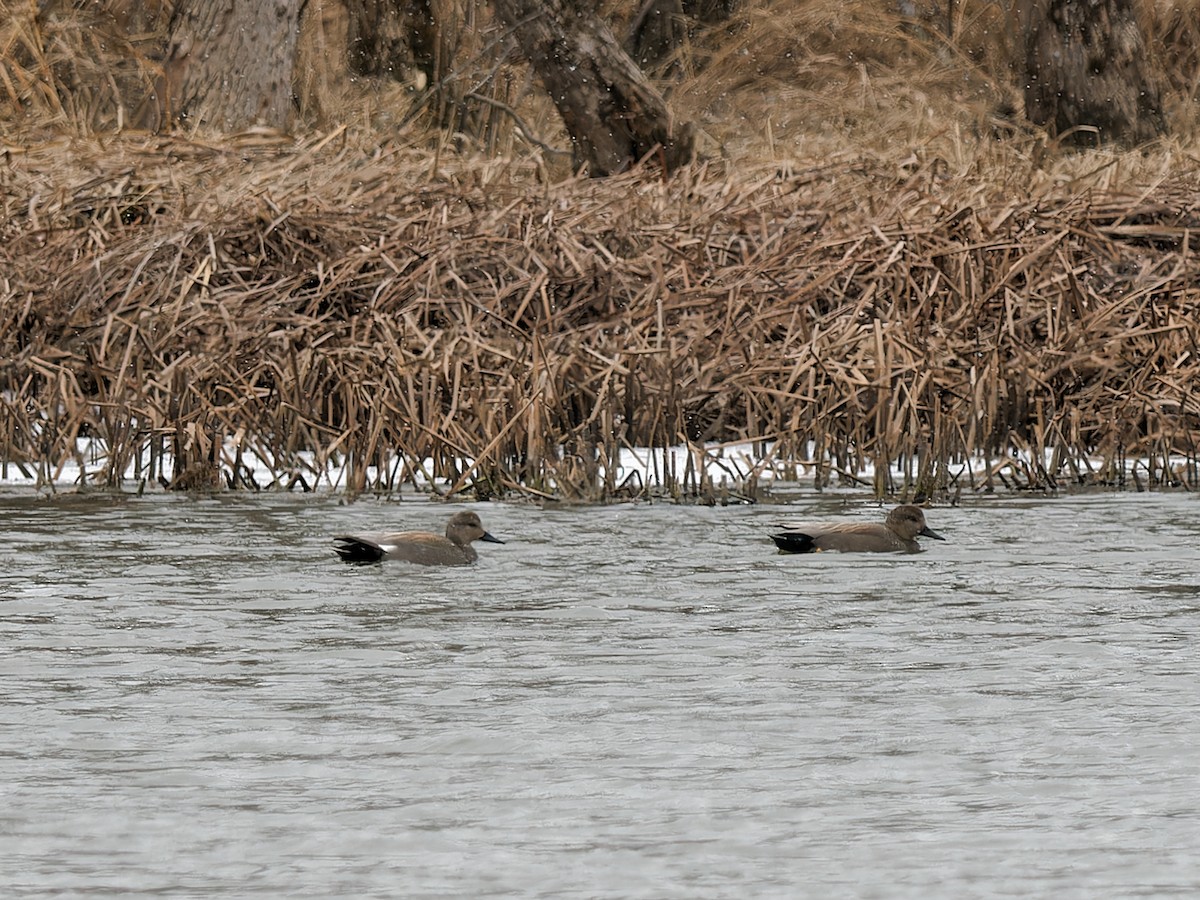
[[199, 700]]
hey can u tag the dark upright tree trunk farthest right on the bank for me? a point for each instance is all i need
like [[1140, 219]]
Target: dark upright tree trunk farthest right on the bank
[[1087, 68]]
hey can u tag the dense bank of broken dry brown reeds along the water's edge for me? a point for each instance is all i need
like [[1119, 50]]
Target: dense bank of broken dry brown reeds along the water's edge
[[472, 328]]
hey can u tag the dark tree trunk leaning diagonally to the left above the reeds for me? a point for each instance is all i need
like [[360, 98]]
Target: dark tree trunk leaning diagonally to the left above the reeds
[[613, 113]]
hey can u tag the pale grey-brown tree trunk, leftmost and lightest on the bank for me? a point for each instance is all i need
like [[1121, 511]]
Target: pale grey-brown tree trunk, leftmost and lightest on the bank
[[230, 65]]
